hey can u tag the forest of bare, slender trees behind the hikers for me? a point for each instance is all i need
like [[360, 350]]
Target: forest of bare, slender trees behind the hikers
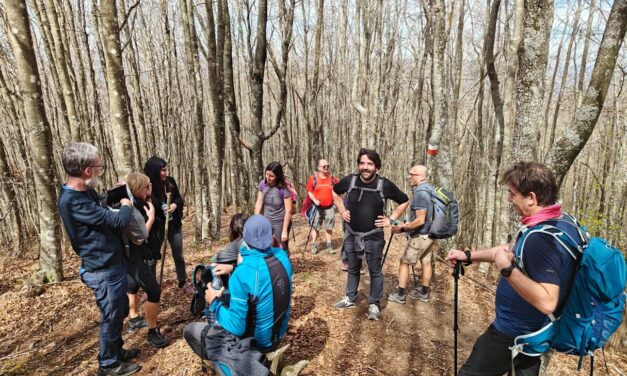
[[221, 88]]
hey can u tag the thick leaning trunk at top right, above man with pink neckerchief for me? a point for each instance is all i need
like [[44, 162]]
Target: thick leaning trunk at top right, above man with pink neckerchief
[[563, 153]]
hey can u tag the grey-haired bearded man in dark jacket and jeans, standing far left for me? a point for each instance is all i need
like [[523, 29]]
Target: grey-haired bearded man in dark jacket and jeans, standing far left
[[93, 232]]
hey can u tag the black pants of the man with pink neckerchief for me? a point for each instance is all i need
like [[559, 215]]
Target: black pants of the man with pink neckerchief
[[491, 356]]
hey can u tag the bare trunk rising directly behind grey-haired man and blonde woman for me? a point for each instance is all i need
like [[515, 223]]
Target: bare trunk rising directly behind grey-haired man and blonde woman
[[116, 87]]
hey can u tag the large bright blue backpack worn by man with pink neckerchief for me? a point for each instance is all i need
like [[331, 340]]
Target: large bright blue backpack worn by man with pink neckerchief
[[592, 309]]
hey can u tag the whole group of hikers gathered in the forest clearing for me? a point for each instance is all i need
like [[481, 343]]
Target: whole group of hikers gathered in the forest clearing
[[247, 313]]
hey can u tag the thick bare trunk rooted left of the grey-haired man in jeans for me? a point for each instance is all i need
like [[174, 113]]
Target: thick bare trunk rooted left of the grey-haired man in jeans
[[39, 137]]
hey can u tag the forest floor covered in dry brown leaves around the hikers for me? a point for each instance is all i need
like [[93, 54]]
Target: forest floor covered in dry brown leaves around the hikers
[[56, 333]]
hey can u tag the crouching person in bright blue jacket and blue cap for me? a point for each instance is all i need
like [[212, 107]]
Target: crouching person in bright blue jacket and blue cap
[[259, 308]]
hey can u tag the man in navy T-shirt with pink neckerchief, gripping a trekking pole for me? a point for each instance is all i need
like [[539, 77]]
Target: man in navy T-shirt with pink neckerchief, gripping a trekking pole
[[523, 299]]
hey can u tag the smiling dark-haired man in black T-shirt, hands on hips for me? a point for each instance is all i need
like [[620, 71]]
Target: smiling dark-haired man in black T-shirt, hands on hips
[[364, 219]]
